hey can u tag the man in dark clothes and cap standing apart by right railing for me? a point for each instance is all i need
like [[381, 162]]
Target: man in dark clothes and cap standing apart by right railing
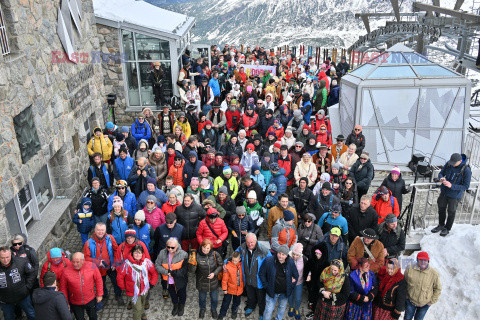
[[455, 178]]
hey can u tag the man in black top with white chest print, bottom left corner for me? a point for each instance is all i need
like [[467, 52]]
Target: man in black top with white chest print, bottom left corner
[[17, 278]]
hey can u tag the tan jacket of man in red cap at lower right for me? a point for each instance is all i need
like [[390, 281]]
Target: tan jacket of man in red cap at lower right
[[423, 286]]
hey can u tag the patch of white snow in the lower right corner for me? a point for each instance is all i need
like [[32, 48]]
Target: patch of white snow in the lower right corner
[[457, 259]]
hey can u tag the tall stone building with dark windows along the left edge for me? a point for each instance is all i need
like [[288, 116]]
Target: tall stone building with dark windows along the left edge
[[48, 106]]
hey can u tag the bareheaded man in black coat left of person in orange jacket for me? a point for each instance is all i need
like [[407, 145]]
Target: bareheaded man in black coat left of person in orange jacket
[[360, 217]]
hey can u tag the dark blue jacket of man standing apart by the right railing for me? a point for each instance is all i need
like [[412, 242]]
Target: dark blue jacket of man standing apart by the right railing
[[460, 182]]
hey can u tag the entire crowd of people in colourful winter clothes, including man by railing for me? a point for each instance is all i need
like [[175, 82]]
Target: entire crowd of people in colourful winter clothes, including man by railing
[[247, 193]]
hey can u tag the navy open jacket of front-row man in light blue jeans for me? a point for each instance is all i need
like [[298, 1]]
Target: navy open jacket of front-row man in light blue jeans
[[268, 272]]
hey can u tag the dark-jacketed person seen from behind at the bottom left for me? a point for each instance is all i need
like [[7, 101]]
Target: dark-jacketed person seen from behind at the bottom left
[[48, 302]]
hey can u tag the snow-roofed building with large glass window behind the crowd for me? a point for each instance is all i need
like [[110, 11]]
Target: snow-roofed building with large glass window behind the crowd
[[137, 34]]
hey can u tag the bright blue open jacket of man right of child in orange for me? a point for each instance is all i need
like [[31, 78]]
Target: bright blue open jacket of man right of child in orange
[[251, 275]]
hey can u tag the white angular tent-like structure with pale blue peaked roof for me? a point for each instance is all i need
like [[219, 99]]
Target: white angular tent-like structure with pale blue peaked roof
[[406, 104]]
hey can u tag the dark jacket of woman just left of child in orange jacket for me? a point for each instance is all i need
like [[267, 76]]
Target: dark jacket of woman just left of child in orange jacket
[[206, 264]]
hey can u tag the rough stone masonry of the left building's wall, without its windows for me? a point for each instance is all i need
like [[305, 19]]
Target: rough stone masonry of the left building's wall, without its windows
[[66, 101]]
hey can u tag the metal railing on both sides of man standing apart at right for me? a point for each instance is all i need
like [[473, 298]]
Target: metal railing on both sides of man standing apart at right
[[424, 208]]
